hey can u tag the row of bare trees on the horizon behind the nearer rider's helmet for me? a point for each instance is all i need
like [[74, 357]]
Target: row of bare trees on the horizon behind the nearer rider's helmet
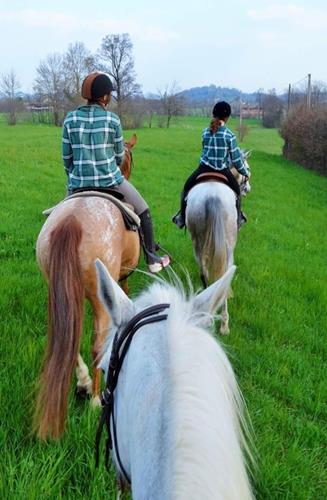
[[59, 78]]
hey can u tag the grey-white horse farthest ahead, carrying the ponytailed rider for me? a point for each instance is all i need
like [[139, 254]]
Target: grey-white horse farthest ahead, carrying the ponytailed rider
[[211, 219]]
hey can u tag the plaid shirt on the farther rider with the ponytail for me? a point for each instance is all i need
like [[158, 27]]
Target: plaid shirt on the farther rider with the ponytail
[[220, 150]]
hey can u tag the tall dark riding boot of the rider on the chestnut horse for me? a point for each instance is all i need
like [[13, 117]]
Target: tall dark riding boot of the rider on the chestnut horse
[[154, 261]]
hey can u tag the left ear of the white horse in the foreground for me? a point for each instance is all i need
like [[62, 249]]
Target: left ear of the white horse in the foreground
[[112, 296]]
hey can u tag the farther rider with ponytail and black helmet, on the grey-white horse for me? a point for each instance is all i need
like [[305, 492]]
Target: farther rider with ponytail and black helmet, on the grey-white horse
[[219, 153]]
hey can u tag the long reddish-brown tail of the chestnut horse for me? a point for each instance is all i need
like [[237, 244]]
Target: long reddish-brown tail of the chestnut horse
[[65, 316]]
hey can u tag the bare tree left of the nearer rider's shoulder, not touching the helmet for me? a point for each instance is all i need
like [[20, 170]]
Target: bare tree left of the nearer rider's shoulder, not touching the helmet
[[50, 84]]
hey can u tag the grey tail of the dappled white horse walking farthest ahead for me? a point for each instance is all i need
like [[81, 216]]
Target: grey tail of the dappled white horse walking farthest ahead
[[214, 252]]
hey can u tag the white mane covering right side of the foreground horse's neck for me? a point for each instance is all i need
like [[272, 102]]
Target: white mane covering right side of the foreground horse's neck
[[209, 446]]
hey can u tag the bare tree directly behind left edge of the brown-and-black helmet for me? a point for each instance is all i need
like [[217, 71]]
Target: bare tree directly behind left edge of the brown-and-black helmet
[[78, 62]]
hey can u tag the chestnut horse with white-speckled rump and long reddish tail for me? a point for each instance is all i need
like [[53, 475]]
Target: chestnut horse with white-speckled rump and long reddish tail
[[77, 232]]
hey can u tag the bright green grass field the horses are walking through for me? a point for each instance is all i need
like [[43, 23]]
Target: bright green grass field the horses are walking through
[[278, 315]]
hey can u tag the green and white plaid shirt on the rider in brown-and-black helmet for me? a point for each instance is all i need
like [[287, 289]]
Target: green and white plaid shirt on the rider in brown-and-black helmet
[[92, 147]]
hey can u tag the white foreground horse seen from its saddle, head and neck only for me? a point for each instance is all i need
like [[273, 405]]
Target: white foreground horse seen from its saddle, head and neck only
[[178, 409]]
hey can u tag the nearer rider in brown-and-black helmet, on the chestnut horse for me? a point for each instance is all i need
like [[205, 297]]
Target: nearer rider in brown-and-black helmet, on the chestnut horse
[[93, 149]]
